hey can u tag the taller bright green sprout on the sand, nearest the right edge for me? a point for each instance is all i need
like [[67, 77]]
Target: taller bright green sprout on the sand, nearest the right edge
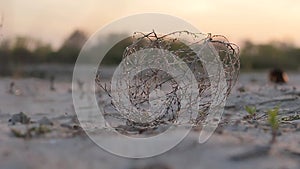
[[273, 122]]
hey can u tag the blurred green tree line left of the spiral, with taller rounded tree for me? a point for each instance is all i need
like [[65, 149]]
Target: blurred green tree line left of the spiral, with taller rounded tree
[[25, 51]]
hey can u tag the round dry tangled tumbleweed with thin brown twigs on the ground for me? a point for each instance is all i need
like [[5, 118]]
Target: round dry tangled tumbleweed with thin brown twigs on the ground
[[181, 44]]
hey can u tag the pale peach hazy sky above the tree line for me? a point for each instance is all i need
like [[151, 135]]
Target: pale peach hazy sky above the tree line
[[53, 20]]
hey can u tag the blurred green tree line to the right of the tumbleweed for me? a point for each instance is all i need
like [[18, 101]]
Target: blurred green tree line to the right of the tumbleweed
[[271, 55]]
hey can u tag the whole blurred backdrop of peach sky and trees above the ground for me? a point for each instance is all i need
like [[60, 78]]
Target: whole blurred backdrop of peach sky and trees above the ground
[[39, 36]]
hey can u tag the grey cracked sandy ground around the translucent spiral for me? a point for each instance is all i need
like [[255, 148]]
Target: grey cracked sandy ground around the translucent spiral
[[237, 143]]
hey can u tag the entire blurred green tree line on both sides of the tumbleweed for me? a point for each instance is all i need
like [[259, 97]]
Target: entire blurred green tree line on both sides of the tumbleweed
[[25, 50]]
